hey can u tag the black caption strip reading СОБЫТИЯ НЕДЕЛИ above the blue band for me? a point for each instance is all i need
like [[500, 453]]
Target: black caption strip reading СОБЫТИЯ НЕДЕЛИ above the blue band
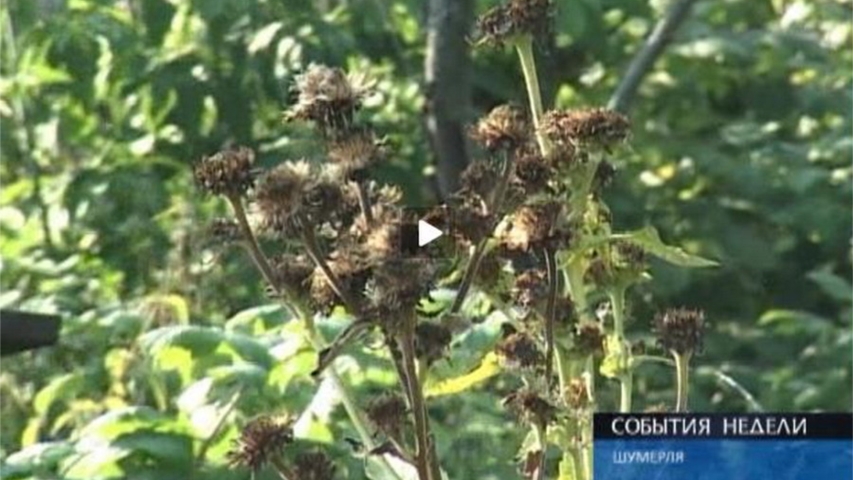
[[724, 425]]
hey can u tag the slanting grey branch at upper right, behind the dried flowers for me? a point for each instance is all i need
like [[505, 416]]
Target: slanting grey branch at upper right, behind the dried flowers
[[645, 58]]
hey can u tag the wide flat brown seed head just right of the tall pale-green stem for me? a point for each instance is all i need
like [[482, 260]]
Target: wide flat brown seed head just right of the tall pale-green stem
[[588, 127]]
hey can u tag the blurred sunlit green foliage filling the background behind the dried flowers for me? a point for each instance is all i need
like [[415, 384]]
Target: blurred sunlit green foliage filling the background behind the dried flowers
[[741, 152]]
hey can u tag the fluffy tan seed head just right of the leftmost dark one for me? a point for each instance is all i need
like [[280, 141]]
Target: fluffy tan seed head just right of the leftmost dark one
[[280, 193]]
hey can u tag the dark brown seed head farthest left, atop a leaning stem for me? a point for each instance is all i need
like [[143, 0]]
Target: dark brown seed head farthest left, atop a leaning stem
[[228, 172]]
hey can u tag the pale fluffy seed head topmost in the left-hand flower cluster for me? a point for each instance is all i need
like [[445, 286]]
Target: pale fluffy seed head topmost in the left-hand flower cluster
[[328, 97]]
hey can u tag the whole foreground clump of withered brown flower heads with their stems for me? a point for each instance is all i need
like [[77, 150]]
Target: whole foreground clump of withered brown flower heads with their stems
[[531, 218]]
